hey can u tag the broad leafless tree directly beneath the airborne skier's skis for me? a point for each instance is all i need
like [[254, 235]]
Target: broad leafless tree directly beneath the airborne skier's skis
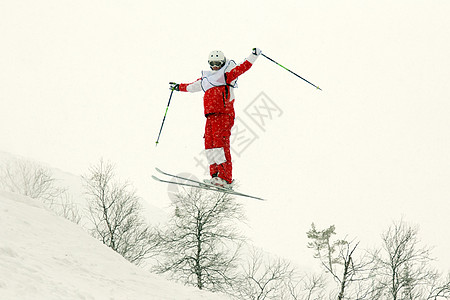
[[201, 243]]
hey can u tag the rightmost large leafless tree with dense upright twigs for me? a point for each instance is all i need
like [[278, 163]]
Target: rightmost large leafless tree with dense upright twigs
[[404, 266]]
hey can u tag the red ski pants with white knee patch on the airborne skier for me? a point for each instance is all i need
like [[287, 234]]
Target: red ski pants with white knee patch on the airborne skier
[[217, 145]]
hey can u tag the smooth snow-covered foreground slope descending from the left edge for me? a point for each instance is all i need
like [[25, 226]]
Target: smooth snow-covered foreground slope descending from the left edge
[[43, 256]]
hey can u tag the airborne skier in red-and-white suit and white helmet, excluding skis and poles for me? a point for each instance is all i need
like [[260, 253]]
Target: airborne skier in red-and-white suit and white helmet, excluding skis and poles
[[218, 102]]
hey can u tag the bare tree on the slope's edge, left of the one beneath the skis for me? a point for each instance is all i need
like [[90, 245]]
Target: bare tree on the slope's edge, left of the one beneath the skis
[[115, 212]]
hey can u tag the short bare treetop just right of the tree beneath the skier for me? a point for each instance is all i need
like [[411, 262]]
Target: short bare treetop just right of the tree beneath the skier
[[265, 278]]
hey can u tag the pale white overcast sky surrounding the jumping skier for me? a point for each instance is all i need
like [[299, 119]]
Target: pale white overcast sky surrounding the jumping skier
[[81, 80]]
